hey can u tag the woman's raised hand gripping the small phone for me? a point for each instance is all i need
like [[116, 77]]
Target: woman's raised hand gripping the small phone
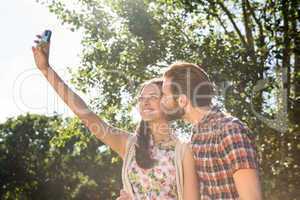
[[41, 53]]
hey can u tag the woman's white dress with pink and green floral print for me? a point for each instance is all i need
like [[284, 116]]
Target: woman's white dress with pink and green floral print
[[158, 182]]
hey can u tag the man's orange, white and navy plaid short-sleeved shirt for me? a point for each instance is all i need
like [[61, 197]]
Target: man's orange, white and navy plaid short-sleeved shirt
[[221, 146]]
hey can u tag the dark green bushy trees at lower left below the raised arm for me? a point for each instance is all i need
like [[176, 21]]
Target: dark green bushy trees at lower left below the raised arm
[[52, 158]]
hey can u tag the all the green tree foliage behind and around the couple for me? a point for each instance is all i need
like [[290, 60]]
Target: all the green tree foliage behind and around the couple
[[249, 48]]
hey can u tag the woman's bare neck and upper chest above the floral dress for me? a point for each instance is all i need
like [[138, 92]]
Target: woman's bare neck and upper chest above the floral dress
[[160, 131]]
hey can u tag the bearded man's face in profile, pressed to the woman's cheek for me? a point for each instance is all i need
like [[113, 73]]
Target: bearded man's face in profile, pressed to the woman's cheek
[[169, 102]]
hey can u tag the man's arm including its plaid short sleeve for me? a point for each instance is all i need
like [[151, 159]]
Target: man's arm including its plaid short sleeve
[[241, 156]]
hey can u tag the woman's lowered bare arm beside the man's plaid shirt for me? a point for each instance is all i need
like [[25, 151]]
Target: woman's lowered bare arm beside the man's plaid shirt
[[190, 179]]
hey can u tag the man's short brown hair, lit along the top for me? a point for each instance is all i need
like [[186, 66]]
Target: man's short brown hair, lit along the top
[[191, 80]]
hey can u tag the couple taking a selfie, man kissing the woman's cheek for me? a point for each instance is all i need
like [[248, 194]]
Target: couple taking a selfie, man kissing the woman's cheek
[[218, 163]]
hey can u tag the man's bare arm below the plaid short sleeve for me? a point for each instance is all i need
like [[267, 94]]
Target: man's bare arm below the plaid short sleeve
[[247, 184]]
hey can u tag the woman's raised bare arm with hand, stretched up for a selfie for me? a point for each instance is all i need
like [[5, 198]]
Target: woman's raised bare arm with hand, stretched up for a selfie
[[111, 136]]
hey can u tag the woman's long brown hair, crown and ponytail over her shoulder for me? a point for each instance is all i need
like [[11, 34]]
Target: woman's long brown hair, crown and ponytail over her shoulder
[[143, 131]]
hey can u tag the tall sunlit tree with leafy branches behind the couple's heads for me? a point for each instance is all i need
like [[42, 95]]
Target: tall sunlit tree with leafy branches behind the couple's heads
[[242, 44]]
